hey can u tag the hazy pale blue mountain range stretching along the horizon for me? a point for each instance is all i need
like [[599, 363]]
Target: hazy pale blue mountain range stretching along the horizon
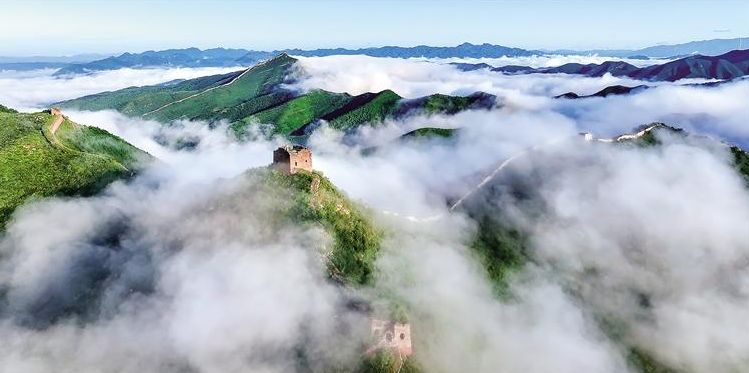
[[221, 57]]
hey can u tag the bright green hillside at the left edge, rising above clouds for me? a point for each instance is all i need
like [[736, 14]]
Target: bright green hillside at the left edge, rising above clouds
[[35, 163]]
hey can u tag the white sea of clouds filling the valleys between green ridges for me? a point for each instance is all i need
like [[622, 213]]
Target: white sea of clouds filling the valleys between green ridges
[[655, 240]]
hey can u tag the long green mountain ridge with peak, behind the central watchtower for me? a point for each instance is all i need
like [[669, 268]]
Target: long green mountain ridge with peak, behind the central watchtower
[[258, 95]]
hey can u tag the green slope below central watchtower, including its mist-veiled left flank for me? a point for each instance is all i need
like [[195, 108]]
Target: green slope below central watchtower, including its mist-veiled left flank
[[308, 200]]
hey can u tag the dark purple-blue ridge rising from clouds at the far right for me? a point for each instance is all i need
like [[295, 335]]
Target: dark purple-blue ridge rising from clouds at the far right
[[726, 66]]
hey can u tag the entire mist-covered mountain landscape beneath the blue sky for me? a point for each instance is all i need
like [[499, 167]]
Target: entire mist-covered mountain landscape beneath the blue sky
[[561, 214]]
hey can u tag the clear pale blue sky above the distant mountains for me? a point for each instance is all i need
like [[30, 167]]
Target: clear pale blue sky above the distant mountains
[[39, 27]]
